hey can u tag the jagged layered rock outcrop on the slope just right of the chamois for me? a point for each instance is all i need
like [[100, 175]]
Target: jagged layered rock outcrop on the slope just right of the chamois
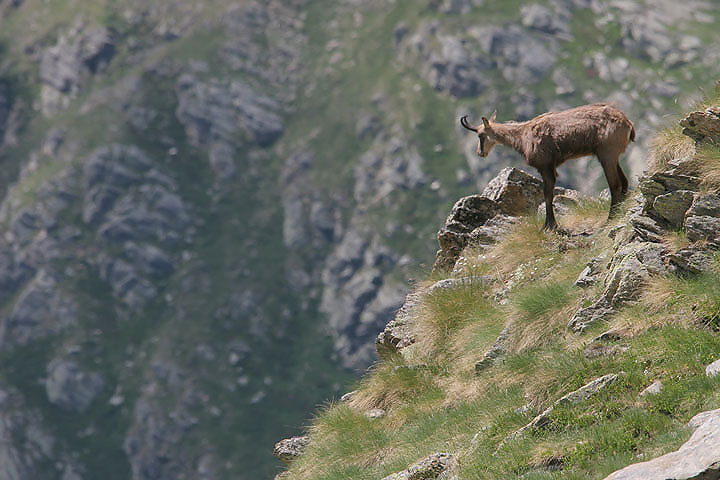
[[671, 199]]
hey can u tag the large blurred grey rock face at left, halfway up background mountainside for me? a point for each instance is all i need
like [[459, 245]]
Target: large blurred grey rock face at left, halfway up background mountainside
[[133, 205]]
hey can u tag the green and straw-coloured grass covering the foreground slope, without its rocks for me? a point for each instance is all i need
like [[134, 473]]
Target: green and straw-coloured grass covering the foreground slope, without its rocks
[[435, 401]]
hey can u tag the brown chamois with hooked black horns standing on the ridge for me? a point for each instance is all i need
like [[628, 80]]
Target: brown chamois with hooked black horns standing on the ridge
[[550, 139]]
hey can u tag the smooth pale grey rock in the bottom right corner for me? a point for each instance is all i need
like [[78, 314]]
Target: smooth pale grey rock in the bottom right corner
[[696, 459]]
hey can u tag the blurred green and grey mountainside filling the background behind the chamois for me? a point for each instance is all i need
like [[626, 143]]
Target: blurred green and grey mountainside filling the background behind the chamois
[[210, 209]]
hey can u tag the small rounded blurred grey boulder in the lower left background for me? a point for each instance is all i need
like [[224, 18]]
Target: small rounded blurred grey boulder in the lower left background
[[70, 387]]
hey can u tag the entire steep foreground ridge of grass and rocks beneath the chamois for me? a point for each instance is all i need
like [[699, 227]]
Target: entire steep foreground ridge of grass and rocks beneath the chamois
[[547, 355]]
